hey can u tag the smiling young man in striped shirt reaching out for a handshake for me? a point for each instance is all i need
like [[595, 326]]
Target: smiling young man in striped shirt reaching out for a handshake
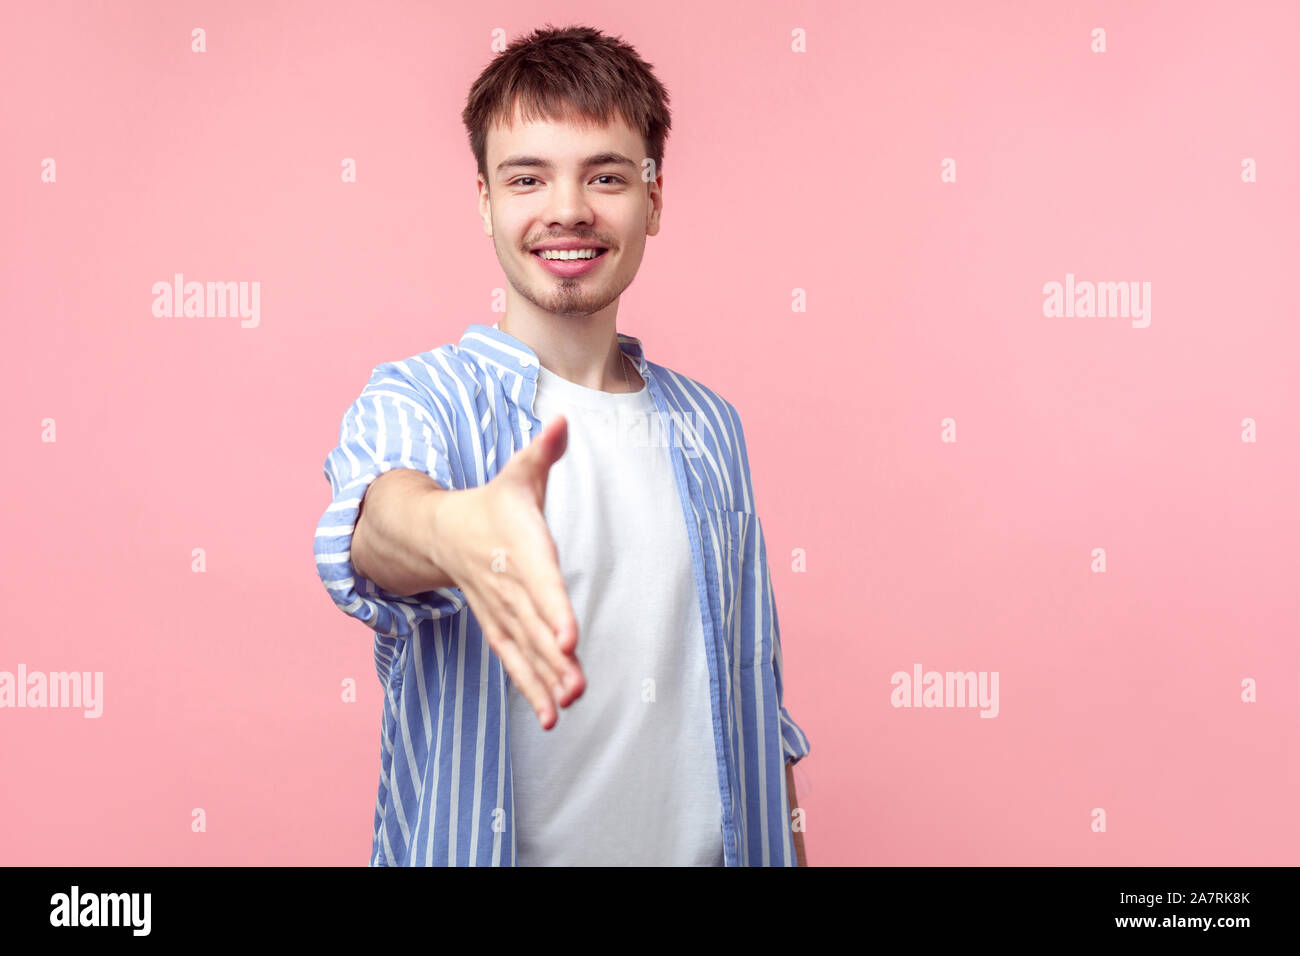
[[491, 555]]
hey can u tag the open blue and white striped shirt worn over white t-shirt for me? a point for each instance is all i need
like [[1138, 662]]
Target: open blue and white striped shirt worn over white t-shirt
[[458, 413]]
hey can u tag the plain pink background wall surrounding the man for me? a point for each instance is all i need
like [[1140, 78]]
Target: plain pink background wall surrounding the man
[[816, 171]]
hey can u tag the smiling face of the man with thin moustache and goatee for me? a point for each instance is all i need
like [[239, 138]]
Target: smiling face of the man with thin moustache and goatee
[[553, 183]]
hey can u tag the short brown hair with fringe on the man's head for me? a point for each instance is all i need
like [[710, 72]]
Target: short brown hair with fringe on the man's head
[[573, 75]]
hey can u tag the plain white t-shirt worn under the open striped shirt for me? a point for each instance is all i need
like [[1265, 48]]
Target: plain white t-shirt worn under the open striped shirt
[[629, 775]]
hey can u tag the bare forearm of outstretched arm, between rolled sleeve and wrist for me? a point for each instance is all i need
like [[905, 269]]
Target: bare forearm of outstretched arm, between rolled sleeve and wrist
[[393, 542]]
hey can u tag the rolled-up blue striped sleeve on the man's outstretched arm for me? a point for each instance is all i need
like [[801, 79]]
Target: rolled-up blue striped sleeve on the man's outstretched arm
[[393, 425]]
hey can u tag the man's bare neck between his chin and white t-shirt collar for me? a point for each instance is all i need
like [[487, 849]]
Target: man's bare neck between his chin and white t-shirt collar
[[584, 349]]
